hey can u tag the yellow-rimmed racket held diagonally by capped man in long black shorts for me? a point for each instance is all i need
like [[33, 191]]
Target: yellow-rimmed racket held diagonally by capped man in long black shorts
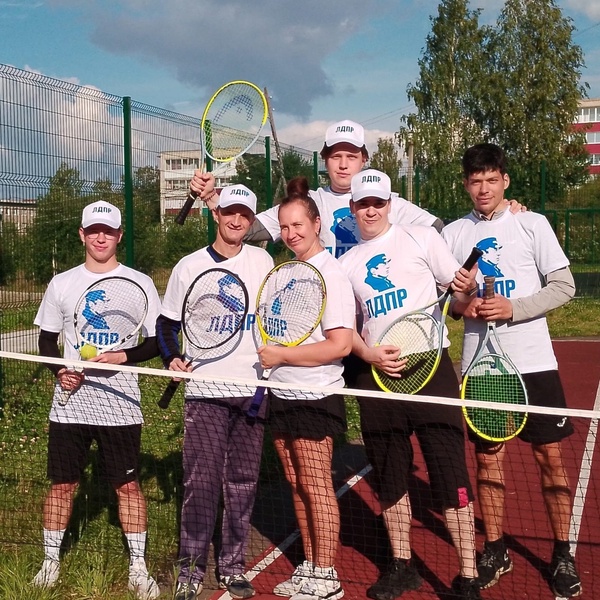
[[420, 338]]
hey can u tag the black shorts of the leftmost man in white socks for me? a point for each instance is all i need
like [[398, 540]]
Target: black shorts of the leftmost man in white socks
[[69, 446]]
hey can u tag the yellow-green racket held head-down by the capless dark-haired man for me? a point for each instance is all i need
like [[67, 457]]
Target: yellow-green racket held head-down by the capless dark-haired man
[[493, 377]]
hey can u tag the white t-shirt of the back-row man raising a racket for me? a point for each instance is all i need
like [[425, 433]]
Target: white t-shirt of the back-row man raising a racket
[[339, 231]]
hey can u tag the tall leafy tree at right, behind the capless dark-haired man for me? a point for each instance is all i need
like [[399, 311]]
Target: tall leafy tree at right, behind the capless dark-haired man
[[537, 67]]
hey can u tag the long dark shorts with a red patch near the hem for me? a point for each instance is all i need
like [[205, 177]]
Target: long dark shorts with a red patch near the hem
[[387, 426]]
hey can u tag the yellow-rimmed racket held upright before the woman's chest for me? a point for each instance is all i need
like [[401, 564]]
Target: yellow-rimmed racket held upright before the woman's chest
[[289, 307]]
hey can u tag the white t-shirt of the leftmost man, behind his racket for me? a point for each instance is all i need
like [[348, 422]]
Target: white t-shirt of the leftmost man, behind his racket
[[106, 397]]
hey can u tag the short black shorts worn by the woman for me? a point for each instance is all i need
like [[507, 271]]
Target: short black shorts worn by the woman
[[308, 419]]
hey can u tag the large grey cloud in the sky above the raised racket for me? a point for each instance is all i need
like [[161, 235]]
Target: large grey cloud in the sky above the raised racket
[[280, 44]]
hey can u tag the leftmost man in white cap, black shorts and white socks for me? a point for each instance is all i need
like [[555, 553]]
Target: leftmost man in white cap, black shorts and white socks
[[100, 408]]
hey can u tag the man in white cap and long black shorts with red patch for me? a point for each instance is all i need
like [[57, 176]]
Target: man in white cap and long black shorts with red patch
[[408, 262]]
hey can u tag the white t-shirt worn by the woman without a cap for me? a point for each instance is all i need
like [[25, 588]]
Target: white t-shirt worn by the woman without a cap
[[339, 313]]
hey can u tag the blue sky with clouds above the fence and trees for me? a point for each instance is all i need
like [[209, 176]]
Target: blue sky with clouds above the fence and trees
[[321, 61]]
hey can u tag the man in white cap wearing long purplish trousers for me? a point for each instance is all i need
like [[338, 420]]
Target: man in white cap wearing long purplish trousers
[[222, 447]]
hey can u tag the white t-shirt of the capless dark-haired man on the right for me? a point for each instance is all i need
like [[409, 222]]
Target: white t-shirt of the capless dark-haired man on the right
[[517, 250]]
